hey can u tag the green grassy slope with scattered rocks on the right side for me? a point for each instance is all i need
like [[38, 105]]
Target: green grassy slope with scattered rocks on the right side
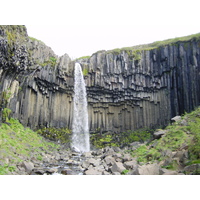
[[184, 134]]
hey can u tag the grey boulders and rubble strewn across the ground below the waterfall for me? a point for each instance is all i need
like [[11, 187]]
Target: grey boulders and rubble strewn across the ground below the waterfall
[[106, 161]]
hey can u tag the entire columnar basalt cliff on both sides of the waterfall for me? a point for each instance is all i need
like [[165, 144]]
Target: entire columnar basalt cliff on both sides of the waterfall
[[127, 89]]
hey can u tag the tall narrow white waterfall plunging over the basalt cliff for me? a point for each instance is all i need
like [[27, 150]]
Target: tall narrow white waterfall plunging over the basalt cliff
[[80, 129]]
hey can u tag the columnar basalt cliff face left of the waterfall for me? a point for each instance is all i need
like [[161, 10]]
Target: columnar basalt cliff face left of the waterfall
[[38, 83]]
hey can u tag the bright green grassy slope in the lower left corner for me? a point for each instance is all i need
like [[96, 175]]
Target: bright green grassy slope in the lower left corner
[[17, 141]]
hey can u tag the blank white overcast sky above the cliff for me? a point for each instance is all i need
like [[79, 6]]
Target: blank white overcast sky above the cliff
[[82, 27]]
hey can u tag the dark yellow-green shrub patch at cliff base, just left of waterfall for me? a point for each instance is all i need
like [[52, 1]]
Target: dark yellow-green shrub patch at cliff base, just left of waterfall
[[56, 134]]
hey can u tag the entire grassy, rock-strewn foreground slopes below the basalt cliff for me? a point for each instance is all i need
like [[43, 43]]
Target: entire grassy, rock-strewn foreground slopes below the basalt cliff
[[173, 150]]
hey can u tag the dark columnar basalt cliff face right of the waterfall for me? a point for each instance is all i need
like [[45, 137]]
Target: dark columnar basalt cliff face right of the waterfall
[[130, 89]]
